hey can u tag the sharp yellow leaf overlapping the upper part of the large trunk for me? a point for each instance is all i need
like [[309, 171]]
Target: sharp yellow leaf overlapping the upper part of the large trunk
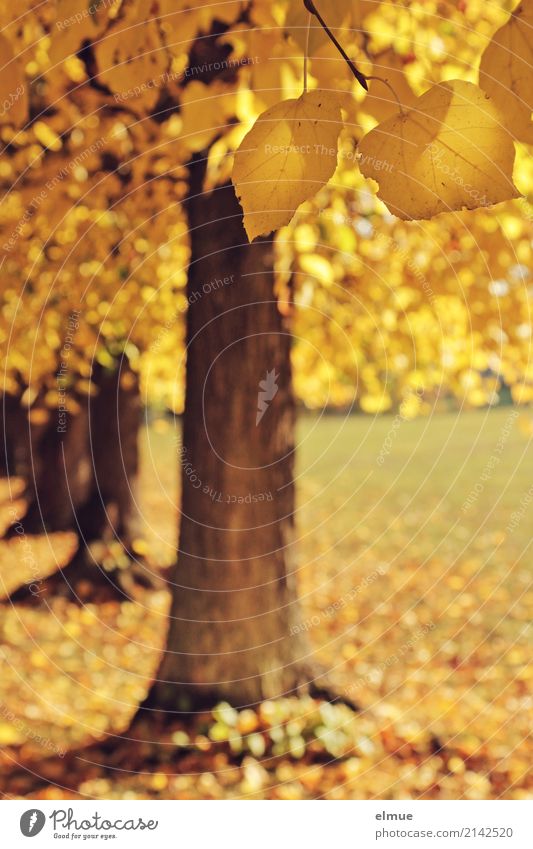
[[288, 155]]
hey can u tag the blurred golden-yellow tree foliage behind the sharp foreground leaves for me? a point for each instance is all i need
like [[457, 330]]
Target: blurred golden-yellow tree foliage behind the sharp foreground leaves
[[92, 187]]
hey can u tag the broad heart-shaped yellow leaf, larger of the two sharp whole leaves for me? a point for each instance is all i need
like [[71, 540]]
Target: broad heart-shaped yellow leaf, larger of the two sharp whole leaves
[[449, 152]]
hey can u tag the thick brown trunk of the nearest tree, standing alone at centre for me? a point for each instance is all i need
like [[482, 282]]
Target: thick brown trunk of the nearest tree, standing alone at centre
[[234, 593]]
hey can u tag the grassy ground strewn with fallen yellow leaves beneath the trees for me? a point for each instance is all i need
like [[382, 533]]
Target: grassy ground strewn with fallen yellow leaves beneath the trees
[[415, 579]]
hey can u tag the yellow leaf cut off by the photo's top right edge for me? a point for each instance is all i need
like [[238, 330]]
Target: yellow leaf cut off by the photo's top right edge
[[506, 71]]
